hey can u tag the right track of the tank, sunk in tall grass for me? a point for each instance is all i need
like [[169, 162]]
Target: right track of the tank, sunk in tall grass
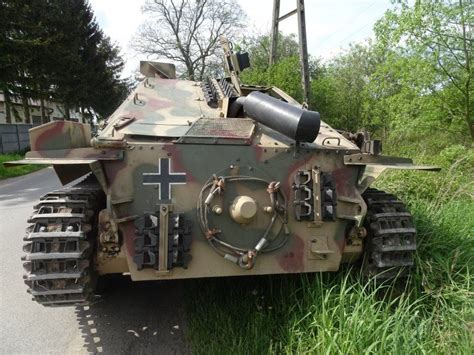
[[391, 236]]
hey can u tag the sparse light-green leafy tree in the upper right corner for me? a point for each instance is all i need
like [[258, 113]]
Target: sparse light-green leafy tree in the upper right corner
[[442, 33]]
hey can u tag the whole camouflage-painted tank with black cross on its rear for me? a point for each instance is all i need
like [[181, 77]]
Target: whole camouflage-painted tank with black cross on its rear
[[209, 179]]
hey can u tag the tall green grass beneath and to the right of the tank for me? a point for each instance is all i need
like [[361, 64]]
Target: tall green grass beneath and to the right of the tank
[[341, 313]]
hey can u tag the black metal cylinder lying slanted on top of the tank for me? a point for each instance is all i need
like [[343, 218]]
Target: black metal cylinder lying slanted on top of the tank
[[292, 121]]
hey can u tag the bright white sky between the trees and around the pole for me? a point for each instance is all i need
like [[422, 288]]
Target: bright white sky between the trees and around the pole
[[330, 24]]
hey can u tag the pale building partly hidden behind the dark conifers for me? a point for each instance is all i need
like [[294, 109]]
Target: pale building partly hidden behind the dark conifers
[[54, 111]]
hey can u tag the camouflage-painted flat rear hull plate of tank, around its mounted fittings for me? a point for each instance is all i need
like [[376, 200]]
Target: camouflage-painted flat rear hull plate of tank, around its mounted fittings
[[199, 163]]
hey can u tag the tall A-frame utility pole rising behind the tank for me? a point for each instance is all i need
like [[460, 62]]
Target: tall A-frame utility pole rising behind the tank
[[303, 47]]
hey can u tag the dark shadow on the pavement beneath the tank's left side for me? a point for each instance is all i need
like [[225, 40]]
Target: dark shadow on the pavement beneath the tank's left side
[[135, 318]]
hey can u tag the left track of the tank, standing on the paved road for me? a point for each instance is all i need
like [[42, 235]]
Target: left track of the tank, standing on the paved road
[[60, 245]]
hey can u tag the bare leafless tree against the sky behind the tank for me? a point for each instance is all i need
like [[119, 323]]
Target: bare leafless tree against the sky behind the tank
[[187, 32]]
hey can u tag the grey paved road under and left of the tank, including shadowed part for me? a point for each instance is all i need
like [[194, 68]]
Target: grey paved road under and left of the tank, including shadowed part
[[132, 318]]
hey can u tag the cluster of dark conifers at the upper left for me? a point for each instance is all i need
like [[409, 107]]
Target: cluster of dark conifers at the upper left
[[55, 50]]
